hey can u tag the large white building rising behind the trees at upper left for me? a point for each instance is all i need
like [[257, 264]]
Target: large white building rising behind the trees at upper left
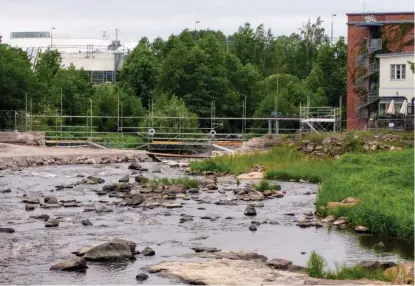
[[93, 55]]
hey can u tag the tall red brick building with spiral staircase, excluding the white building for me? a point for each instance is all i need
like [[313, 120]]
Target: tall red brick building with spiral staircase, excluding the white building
[[371, 34]]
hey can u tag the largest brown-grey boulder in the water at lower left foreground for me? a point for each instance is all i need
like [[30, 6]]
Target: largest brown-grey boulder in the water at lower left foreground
[[114, 250]]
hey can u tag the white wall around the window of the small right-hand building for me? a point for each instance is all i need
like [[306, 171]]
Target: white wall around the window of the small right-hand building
[[396, 87]]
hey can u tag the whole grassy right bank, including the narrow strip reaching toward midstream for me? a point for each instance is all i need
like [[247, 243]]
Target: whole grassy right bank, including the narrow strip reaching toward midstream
[[383, 181]]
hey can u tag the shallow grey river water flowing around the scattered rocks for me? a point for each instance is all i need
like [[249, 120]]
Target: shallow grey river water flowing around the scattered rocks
[[27, 254]]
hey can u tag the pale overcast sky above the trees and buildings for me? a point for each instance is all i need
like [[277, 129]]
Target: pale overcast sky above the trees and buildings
[[152, 18]]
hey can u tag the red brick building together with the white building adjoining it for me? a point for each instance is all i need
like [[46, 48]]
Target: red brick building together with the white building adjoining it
[[379, 48]]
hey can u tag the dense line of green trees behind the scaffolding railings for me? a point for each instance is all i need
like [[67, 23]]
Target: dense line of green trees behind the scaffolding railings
[[184, 74]]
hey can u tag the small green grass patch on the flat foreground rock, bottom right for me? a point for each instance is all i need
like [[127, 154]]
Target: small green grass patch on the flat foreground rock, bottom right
[[316, 268]]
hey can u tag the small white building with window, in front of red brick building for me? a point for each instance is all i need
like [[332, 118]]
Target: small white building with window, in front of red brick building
[[396, 80]]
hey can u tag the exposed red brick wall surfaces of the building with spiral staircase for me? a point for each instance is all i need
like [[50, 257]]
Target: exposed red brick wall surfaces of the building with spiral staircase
[[355, 36]]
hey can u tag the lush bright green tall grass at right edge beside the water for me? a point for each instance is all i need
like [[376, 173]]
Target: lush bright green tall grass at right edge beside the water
[[384, 183]]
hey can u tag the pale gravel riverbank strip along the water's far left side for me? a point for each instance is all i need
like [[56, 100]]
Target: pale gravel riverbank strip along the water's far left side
[[21, 156]]
